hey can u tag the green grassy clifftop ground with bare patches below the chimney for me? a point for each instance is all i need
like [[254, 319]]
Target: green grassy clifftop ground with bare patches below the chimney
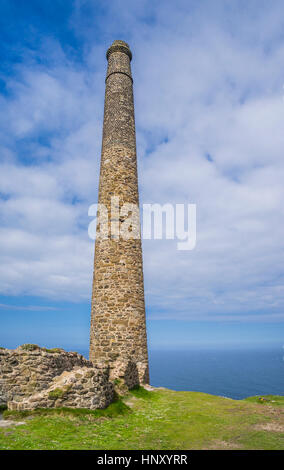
[[161, 419]]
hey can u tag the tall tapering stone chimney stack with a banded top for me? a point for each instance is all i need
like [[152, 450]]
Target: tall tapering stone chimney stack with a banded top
[[118, 327]]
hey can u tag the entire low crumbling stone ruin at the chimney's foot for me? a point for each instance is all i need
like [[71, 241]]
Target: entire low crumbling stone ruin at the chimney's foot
[[33, 377]]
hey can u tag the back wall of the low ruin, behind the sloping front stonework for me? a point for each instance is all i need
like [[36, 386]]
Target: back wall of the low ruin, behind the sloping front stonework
[[28, 369]]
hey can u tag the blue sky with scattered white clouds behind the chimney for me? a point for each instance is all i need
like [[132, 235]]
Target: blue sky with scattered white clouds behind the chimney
[[209, 104]]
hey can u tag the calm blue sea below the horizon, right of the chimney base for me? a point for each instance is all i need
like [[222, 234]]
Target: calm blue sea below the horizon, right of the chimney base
[[234, 374]]
